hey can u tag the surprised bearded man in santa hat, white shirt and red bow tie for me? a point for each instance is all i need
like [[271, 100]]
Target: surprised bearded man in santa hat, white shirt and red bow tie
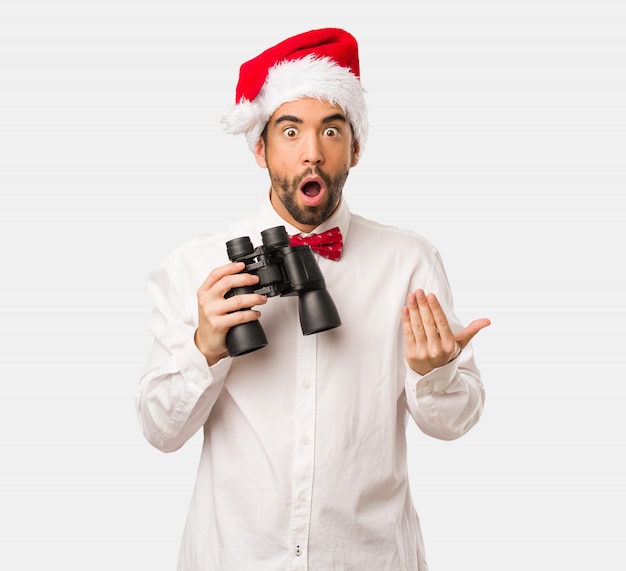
[[303, 463]]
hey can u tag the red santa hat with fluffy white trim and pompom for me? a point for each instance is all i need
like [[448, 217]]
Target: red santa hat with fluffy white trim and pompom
[[321, 64]]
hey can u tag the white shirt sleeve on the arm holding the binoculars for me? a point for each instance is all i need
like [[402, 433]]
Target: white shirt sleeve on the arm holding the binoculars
[[178, 389]]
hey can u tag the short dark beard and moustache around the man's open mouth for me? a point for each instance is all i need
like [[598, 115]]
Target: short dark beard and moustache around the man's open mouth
[[287, 190]]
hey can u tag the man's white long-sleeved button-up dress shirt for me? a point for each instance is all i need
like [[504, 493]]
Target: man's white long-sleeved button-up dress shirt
[[304, 460]]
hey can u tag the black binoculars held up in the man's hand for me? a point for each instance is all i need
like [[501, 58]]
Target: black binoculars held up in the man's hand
[[283, 270]]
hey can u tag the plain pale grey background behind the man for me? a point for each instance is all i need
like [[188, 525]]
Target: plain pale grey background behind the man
[[498, 131]]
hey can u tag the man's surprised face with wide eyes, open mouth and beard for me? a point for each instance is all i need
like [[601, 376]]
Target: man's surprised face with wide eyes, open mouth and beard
[[308, 151]]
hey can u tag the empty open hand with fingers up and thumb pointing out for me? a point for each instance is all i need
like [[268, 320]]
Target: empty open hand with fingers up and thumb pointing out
[[429, 342]]
